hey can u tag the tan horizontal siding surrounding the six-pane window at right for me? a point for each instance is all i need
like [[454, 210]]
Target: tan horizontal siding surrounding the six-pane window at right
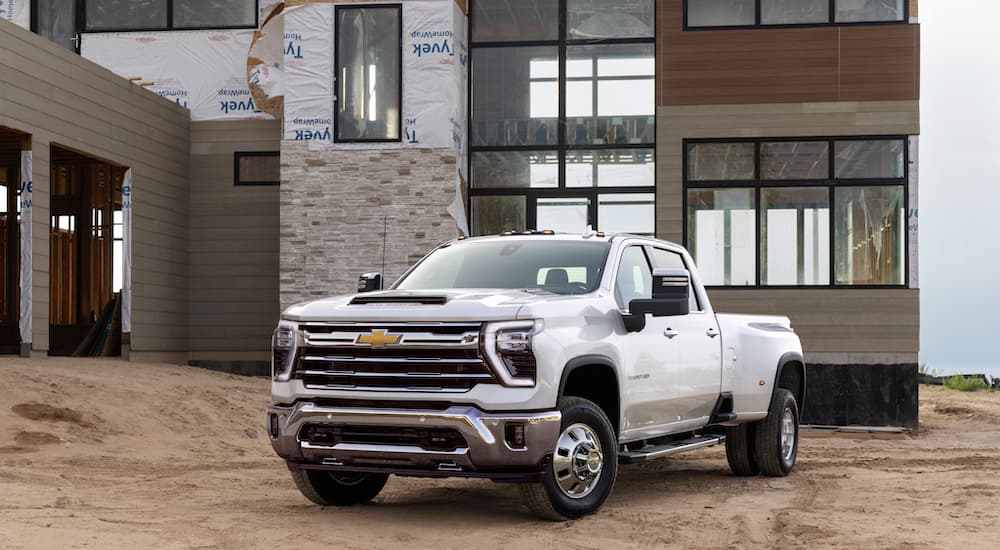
[[843, 323]]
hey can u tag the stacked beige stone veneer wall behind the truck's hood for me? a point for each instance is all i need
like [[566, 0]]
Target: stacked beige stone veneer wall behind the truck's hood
[[333, 207]]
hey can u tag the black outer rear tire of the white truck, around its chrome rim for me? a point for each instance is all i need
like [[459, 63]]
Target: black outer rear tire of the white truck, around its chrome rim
[[774, 458]]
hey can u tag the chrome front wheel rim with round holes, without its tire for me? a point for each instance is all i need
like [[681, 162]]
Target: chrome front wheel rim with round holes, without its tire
[[578, 461]]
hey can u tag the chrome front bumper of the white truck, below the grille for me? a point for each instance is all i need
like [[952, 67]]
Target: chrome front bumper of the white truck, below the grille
[[486, 452]]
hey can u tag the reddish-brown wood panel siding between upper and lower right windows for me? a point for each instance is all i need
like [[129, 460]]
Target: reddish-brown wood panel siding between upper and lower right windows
[[781, 65]]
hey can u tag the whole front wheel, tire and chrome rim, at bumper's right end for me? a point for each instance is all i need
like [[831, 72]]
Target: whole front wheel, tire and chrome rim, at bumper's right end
[[583, 468]]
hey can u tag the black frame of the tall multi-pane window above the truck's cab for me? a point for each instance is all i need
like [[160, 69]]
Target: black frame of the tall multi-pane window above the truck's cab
[[562, 146]]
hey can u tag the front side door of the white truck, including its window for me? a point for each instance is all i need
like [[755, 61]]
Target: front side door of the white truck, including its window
[[650, 356]]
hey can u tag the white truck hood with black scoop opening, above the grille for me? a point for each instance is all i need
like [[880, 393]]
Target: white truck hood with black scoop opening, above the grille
[[430, 306]]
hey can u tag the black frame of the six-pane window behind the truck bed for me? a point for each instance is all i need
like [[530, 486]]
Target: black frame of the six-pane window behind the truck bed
[[831, 183]]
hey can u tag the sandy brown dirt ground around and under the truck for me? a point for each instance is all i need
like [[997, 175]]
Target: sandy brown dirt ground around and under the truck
[[104, 454]]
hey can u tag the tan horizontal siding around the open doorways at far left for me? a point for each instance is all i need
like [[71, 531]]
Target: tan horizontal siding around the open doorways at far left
[[60, 98]]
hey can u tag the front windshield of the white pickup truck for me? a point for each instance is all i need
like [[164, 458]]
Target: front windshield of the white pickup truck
[[558, 266]]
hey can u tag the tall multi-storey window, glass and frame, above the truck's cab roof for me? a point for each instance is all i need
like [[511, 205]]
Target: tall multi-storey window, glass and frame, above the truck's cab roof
[[562, 131]]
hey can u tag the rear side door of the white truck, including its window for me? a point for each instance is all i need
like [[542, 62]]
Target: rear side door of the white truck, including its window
[[699, 344]]
